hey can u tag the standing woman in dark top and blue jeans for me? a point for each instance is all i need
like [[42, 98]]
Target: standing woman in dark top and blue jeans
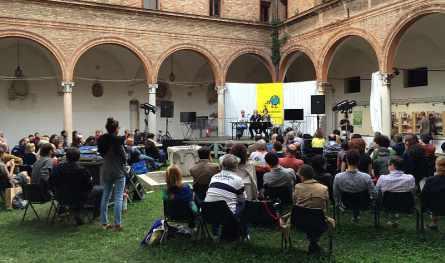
[[111, 148]]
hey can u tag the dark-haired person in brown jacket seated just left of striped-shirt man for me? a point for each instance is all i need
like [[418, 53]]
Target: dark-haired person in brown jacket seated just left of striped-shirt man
[[202, 172]]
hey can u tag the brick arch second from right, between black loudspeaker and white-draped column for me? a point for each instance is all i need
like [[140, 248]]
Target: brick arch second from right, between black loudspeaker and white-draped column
[[337, 39]]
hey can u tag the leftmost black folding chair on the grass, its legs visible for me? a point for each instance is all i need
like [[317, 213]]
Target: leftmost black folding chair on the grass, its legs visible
[[35, 194]]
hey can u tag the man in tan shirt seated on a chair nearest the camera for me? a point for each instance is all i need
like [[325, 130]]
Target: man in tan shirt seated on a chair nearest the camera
[[311, 194]]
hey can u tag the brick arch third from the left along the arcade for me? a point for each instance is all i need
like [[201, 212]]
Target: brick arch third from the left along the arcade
[[213, 62]]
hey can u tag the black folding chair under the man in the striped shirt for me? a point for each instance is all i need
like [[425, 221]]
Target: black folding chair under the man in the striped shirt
[[218, 213]]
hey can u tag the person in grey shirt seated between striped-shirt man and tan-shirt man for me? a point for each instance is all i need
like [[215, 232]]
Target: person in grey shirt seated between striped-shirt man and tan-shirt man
[[278, 176]]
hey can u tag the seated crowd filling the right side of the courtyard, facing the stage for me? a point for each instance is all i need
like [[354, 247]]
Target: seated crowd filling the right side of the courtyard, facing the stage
[[311, 176]]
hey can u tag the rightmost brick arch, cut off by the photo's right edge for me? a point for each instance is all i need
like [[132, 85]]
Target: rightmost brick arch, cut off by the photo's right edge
[[396, 33]]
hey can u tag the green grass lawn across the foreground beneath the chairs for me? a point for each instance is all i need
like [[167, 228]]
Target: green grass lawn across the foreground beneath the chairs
[[36, 241]]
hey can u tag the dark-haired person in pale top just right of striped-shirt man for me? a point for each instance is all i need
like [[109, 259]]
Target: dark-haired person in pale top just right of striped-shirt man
[[246, 170]]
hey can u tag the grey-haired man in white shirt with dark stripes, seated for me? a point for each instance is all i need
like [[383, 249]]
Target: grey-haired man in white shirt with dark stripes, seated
[[227, 186]]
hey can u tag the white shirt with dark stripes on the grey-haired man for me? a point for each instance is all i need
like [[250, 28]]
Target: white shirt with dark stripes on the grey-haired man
[[226, 186]]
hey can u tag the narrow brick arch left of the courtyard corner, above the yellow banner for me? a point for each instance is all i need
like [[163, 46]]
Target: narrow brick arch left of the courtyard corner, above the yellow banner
[[261, 54]]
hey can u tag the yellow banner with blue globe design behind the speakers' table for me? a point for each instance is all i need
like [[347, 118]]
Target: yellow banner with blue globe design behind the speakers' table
[[270, 97]]
